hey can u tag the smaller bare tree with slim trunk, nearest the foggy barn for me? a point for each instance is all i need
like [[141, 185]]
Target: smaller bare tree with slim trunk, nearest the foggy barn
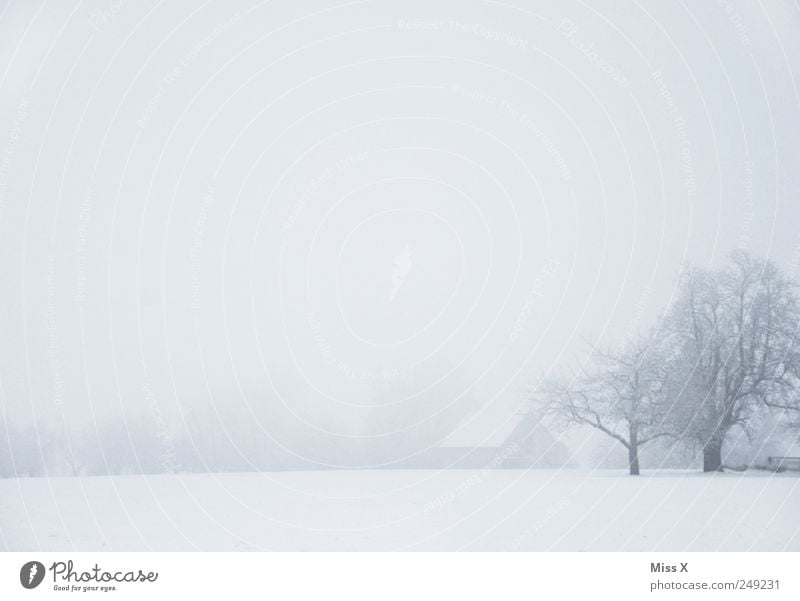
[[621, 394]]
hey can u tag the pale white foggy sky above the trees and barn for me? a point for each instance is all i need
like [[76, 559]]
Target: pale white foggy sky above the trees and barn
[[201, 203]]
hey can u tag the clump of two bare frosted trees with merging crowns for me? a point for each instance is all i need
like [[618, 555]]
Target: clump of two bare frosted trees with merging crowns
[[725, 349]]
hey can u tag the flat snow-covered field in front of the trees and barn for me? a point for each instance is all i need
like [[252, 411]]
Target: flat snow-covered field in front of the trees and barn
[[415, 510]]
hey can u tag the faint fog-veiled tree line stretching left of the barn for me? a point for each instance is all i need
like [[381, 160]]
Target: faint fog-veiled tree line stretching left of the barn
[[266, 433]]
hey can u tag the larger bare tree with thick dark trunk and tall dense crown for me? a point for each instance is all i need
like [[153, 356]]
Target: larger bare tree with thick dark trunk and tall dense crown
[[738, 328]]
